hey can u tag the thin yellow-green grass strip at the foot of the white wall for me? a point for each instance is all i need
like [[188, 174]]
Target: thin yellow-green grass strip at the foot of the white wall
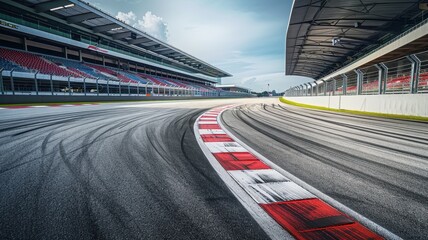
[[373, 114]]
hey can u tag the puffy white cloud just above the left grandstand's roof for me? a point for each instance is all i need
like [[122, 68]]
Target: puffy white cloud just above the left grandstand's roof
[[150, 24]]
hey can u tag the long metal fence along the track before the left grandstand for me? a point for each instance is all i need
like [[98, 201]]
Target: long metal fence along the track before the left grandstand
[[25, 83]]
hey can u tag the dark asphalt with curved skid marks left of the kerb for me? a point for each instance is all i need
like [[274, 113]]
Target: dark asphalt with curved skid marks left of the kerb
[[113, 172]]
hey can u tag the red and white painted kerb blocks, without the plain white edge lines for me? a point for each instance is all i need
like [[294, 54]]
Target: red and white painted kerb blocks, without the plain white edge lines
[[297, 210]]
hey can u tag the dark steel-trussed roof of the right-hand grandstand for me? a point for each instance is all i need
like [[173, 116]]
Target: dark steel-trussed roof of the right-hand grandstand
[[357, 26]]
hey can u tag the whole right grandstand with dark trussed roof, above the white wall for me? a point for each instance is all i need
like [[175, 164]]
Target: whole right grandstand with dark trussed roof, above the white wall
[[357, 48]]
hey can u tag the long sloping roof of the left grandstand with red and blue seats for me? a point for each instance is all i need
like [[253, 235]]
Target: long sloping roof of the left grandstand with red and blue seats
[[80, 13]]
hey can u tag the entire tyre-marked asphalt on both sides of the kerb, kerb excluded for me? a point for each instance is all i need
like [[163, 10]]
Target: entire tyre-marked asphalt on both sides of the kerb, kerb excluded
[[135, 171]]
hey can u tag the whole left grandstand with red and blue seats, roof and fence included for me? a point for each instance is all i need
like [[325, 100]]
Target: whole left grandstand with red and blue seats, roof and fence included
[[69, 47]]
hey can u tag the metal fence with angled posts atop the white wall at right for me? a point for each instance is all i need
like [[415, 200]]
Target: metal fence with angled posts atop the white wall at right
[[408, 74]]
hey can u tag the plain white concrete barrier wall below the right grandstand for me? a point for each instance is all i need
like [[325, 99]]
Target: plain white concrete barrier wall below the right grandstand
[[403, 104]]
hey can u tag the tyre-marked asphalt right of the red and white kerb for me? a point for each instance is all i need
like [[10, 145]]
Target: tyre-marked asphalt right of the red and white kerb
[[377, 167]]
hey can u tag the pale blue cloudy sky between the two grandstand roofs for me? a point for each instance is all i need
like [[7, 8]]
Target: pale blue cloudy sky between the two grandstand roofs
[[245, 38]]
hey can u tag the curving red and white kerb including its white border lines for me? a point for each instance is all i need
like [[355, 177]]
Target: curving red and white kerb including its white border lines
[[284, 206]]
